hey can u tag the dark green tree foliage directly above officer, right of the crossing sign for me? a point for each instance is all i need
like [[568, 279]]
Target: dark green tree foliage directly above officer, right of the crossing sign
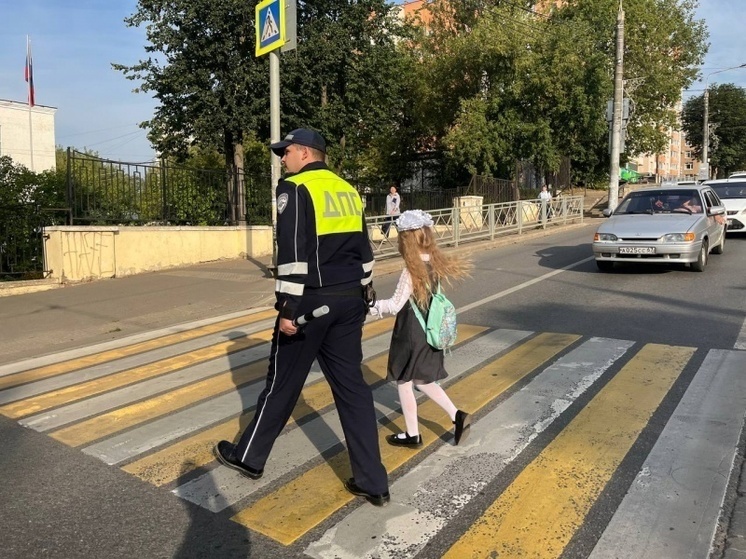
[[346, 79]]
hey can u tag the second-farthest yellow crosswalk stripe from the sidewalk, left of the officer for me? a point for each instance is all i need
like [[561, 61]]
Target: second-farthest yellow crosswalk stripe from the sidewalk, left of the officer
[[70, 394]]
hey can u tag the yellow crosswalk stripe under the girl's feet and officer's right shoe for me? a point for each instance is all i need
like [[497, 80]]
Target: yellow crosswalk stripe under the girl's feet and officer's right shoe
[[318, 493]]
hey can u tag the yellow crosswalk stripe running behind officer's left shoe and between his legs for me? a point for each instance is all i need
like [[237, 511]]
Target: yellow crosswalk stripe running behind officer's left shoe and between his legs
[[170, 463]]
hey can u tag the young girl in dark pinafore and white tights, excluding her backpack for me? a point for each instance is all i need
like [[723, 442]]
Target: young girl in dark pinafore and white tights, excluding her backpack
[[412, 361]]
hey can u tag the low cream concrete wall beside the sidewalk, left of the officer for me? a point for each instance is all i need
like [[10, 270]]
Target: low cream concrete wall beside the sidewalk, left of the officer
[[93, 252]]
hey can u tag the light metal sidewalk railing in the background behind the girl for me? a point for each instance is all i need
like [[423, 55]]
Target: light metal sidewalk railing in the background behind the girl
[[464, 223]]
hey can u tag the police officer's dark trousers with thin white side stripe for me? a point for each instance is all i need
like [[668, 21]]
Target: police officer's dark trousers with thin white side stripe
[[335, 340]]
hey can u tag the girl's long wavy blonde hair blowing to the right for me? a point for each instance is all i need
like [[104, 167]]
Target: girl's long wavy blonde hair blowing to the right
[[443, 268]]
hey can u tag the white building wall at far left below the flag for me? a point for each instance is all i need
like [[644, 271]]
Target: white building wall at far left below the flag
[[16, 141]]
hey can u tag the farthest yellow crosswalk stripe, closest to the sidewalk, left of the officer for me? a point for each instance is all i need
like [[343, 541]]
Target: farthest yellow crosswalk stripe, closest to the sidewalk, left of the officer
[[47, 371]]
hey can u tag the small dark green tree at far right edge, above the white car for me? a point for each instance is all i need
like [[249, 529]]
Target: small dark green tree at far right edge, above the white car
[[727, 118]]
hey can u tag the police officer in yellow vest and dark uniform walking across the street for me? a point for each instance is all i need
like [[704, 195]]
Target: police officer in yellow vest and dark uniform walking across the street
[[323, 258]]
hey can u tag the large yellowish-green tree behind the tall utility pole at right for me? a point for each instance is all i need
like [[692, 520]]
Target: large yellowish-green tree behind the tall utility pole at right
[[509, 83]]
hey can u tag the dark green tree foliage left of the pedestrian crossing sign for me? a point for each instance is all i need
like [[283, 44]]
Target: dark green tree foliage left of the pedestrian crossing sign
[[201, 68]]
